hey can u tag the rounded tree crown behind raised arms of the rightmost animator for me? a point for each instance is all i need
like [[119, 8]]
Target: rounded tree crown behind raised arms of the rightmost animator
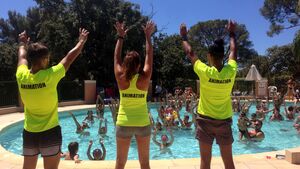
[[203, 34]]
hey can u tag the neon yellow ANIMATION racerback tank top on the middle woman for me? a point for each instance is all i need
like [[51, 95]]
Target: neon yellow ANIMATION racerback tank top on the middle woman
[[133, 109]]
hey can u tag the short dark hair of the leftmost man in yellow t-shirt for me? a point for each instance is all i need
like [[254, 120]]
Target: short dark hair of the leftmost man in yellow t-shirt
[[36, 51]]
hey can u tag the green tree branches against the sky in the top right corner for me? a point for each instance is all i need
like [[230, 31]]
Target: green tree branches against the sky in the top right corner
[[282, 14]]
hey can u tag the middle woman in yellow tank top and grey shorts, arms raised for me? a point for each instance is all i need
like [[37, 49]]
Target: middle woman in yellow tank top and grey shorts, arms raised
[[133, 118]]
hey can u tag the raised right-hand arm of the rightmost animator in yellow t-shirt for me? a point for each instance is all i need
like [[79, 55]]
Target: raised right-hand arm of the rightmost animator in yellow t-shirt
[[233, 48]]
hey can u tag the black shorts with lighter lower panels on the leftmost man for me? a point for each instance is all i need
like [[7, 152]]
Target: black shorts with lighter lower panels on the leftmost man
[[46, 143]]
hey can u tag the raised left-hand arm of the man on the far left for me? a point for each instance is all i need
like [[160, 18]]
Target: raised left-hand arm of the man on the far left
[[22, 54]]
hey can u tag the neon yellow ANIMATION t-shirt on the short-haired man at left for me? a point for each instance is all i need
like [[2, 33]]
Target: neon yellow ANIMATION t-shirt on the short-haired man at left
[[39, 95]]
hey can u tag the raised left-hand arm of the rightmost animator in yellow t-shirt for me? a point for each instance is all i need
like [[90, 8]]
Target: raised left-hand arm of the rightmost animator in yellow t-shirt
[[186, 46]]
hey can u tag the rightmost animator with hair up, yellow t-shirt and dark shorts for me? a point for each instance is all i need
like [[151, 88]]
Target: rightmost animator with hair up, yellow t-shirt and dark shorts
[[214, 118]]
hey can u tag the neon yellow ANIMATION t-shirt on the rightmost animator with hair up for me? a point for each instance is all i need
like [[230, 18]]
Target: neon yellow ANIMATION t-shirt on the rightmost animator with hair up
[[215, 89]]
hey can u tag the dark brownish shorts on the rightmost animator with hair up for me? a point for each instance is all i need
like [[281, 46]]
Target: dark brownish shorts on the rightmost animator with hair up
[[209, 129]]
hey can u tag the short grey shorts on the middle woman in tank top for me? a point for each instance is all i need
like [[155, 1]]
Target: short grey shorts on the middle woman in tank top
[[128, 132]]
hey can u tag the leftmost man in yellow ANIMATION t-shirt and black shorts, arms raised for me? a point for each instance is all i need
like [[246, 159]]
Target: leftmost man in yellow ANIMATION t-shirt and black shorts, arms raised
[[37, 85]]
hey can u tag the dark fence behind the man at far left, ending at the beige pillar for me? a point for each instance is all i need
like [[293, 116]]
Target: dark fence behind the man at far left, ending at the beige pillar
[[67, 91]]
